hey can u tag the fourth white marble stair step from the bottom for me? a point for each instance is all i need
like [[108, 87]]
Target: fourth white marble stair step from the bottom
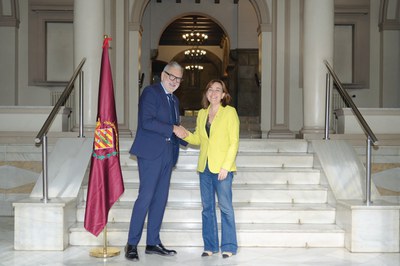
[[244, 175]]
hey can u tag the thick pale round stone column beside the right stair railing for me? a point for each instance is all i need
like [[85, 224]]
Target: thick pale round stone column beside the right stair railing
[[318, 46]]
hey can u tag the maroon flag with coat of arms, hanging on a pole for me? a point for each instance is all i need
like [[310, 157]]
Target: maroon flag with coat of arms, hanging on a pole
[[105, 178]]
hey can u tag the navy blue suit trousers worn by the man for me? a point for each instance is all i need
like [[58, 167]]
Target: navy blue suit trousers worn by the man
[[155, 176]]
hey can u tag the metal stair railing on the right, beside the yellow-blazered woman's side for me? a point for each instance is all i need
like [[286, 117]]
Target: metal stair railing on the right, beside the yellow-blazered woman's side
[[371, 138]]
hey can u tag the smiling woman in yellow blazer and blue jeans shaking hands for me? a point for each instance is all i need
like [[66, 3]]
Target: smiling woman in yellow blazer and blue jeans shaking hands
[[217, 133]]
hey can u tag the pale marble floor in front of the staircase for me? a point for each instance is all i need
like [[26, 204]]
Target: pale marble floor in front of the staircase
[[189, 256]]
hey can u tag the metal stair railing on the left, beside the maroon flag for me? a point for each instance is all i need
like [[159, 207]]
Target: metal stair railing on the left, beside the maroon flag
[[41, 137]]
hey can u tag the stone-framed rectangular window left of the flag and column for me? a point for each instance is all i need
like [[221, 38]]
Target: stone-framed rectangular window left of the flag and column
[[50, 42]]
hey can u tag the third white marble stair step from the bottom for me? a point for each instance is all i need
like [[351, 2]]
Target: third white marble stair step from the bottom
[[241, 193]]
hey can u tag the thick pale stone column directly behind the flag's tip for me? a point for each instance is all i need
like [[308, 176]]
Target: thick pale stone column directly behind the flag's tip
[[88, 41]]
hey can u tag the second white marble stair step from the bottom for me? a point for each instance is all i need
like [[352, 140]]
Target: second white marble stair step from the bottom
[[244, 213]]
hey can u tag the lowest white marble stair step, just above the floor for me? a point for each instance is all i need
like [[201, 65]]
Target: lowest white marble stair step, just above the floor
[[254, 235]]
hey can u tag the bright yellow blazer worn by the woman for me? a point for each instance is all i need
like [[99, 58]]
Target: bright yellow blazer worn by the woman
[[221, 147]]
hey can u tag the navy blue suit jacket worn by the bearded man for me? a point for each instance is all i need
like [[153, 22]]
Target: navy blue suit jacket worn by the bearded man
[[154, 124]]
